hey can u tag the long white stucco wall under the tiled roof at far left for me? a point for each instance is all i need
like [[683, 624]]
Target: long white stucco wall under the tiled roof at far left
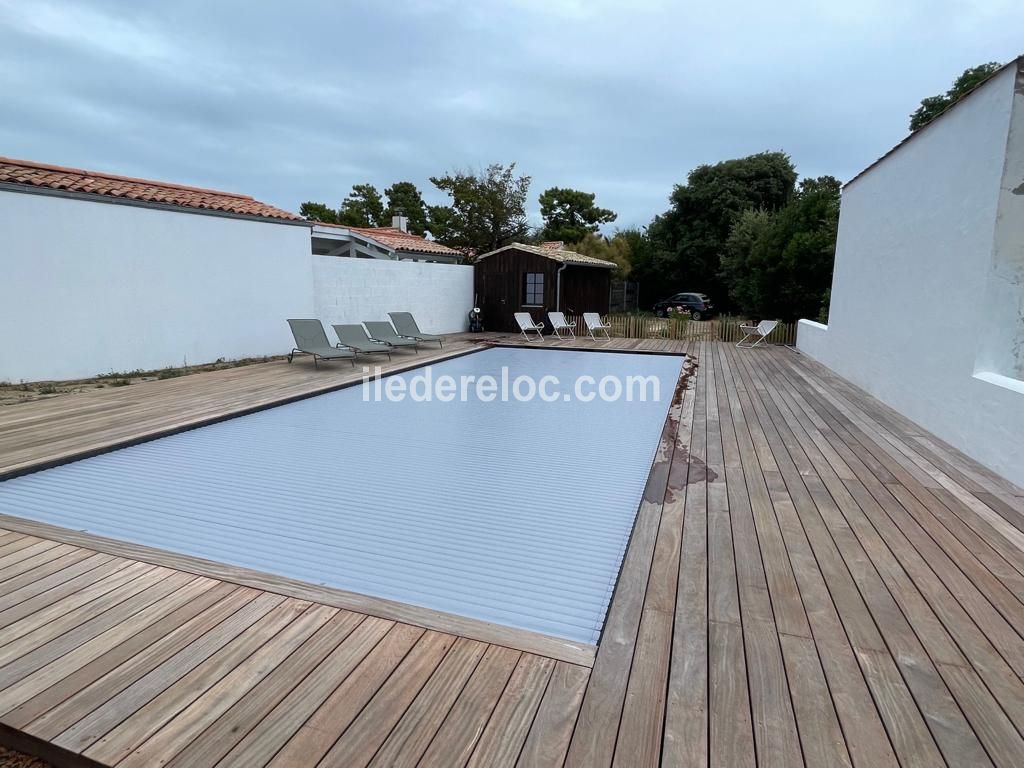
[[89, 288]]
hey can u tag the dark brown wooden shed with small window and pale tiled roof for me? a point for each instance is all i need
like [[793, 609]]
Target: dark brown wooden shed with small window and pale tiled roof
[[538, 280]]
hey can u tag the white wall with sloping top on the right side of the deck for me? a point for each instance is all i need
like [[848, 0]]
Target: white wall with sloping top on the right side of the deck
[[913, 263]]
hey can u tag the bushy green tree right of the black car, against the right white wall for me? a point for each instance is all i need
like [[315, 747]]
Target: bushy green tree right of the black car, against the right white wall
[[780, 265]]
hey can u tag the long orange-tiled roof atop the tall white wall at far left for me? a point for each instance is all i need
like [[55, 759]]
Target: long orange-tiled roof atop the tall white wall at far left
[[126, 188]]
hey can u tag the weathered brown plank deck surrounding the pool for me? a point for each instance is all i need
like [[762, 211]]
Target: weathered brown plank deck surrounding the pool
[[813, 580]]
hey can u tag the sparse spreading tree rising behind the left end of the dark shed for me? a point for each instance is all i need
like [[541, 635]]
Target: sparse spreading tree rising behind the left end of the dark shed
[[488, 210]]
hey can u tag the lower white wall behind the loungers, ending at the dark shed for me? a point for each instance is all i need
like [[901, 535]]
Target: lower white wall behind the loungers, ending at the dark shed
[[356, 290]]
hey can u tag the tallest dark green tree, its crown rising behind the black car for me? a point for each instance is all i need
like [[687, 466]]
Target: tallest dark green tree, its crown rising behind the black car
[[689, 240]]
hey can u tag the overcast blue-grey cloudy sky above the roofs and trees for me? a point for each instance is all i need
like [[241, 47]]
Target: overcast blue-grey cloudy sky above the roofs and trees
[[300, 101]]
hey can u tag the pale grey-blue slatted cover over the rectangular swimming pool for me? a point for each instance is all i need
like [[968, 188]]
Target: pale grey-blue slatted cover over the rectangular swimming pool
[[511, 513]]
